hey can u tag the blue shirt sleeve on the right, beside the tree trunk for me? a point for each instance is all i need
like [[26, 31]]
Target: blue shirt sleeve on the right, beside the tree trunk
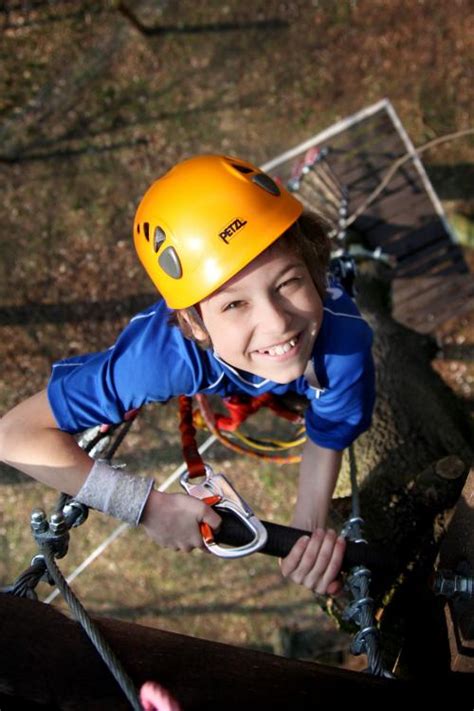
[[339, 413]]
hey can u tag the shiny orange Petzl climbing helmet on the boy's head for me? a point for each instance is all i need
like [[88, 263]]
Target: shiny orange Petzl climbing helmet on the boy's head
[[204, 221]]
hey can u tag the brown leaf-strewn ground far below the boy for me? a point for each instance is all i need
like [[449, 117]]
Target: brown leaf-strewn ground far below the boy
[[92, 109]]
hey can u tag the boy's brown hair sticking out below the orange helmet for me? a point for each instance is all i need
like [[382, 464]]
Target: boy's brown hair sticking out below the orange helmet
[[307, 238]]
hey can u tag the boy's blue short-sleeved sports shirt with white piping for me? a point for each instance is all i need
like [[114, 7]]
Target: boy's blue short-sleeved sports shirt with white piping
[[152, 361]]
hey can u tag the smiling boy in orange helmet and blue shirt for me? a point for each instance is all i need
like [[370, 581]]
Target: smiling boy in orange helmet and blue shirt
[[242, 274]]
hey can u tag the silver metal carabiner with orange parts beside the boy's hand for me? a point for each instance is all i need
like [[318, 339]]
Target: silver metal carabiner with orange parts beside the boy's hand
[[216, 490]]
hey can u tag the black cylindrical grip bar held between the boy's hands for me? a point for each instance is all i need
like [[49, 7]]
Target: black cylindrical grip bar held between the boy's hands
[[281, 539]]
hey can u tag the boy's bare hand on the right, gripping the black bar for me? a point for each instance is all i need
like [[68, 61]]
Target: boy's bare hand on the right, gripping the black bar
[[315, 562]]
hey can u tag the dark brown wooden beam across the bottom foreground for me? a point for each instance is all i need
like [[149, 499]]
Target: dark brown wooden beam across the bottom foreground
[[46, 658]]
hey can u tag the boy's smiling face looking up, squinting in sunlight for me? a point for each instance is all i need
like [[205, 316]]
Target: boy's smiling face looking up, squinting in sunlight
[[265, 319]]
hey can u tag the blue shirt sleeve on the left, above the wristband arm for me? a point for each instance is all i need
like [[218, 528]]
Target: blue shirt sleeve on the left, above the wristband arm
[[150, 362]]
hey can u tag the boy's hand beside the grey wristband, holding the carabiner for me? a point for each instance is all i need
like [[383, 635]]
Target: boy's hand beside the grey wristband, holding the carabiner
[[172, 520]]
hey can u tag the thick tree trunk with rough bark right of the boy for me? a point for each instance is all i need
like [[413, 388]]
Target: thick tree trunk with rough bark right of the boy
[[412, 463]]
